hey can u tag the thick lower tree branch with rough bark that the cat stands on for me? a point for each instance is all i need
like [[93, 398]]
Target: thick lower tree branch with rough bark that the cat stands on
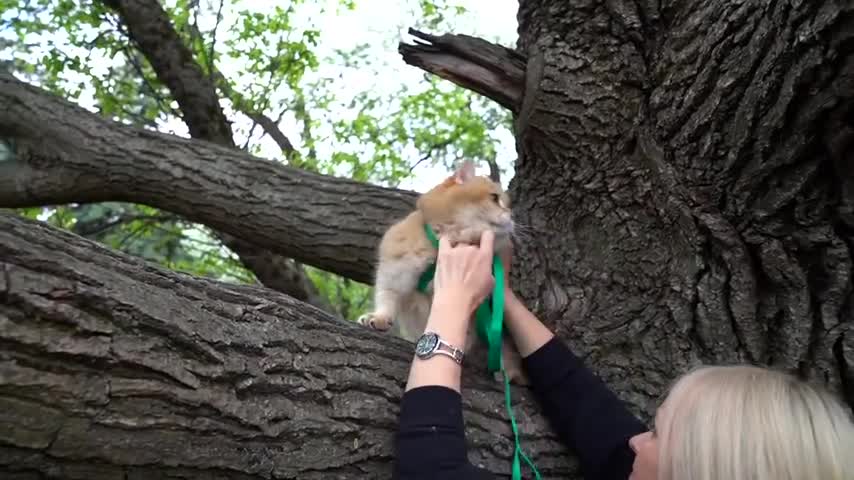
[[127, 370]]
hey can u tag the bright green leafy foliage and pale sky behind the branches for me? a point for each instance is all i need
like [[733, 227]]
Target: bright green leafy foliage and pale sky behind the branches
[[264, 60]]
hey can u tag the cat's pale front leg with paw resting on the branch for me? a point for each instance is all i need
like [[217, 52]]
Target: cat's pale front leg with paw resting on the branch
[[395, 281]]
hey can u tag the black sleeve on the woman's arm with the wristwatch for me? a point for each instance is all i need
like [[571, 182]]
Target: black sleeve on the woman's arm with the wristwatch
[[430, 441]]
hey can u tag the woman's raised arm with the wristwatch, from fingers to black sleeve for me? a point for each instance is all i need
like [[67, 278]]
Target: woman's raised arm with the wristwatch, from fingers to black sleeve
[[430, 442]]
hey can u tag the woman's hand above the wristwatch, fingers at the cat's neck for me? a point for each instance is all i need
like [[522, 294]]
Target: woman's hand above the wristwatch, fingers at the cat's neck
[[464, 273]]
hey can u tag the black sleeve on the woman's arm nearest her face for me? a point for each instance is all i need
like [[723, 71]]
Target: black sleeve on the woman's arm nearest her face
[[586, 415]]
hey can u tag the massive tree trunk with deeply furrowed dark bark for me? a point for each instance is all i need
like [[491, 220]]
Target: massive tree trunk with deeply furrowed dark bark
[[686, 190]]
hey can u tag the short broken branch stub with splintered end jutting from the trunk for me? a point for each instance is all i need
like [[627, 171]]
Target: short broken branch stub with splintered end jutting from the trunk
[[491, 70]]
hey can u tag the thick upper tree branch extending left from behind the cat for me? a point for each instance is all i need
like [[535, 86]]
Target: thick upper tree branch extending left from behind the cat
[[62, 150]]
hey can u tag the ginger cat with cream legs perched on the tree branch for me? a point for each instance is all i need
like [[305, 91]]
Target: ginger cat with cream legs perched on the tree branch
[[462, 207]]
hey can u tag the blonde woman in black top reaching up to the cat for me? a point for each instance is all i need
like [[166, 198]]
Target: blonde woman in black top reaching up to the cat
[[732, 423]]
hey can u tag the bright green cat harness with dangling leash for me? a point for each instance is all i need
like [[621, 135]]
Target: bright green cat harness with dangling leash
[[489, 321]]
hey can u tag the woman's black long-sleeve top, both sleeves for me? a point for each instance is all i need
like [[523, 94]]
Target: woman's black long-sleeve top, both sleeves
[[586, 415]]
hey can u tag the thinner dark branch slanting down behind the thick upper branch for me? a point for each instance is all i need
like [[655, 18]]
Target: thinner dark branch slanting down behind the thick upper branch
[[149, 27]]
